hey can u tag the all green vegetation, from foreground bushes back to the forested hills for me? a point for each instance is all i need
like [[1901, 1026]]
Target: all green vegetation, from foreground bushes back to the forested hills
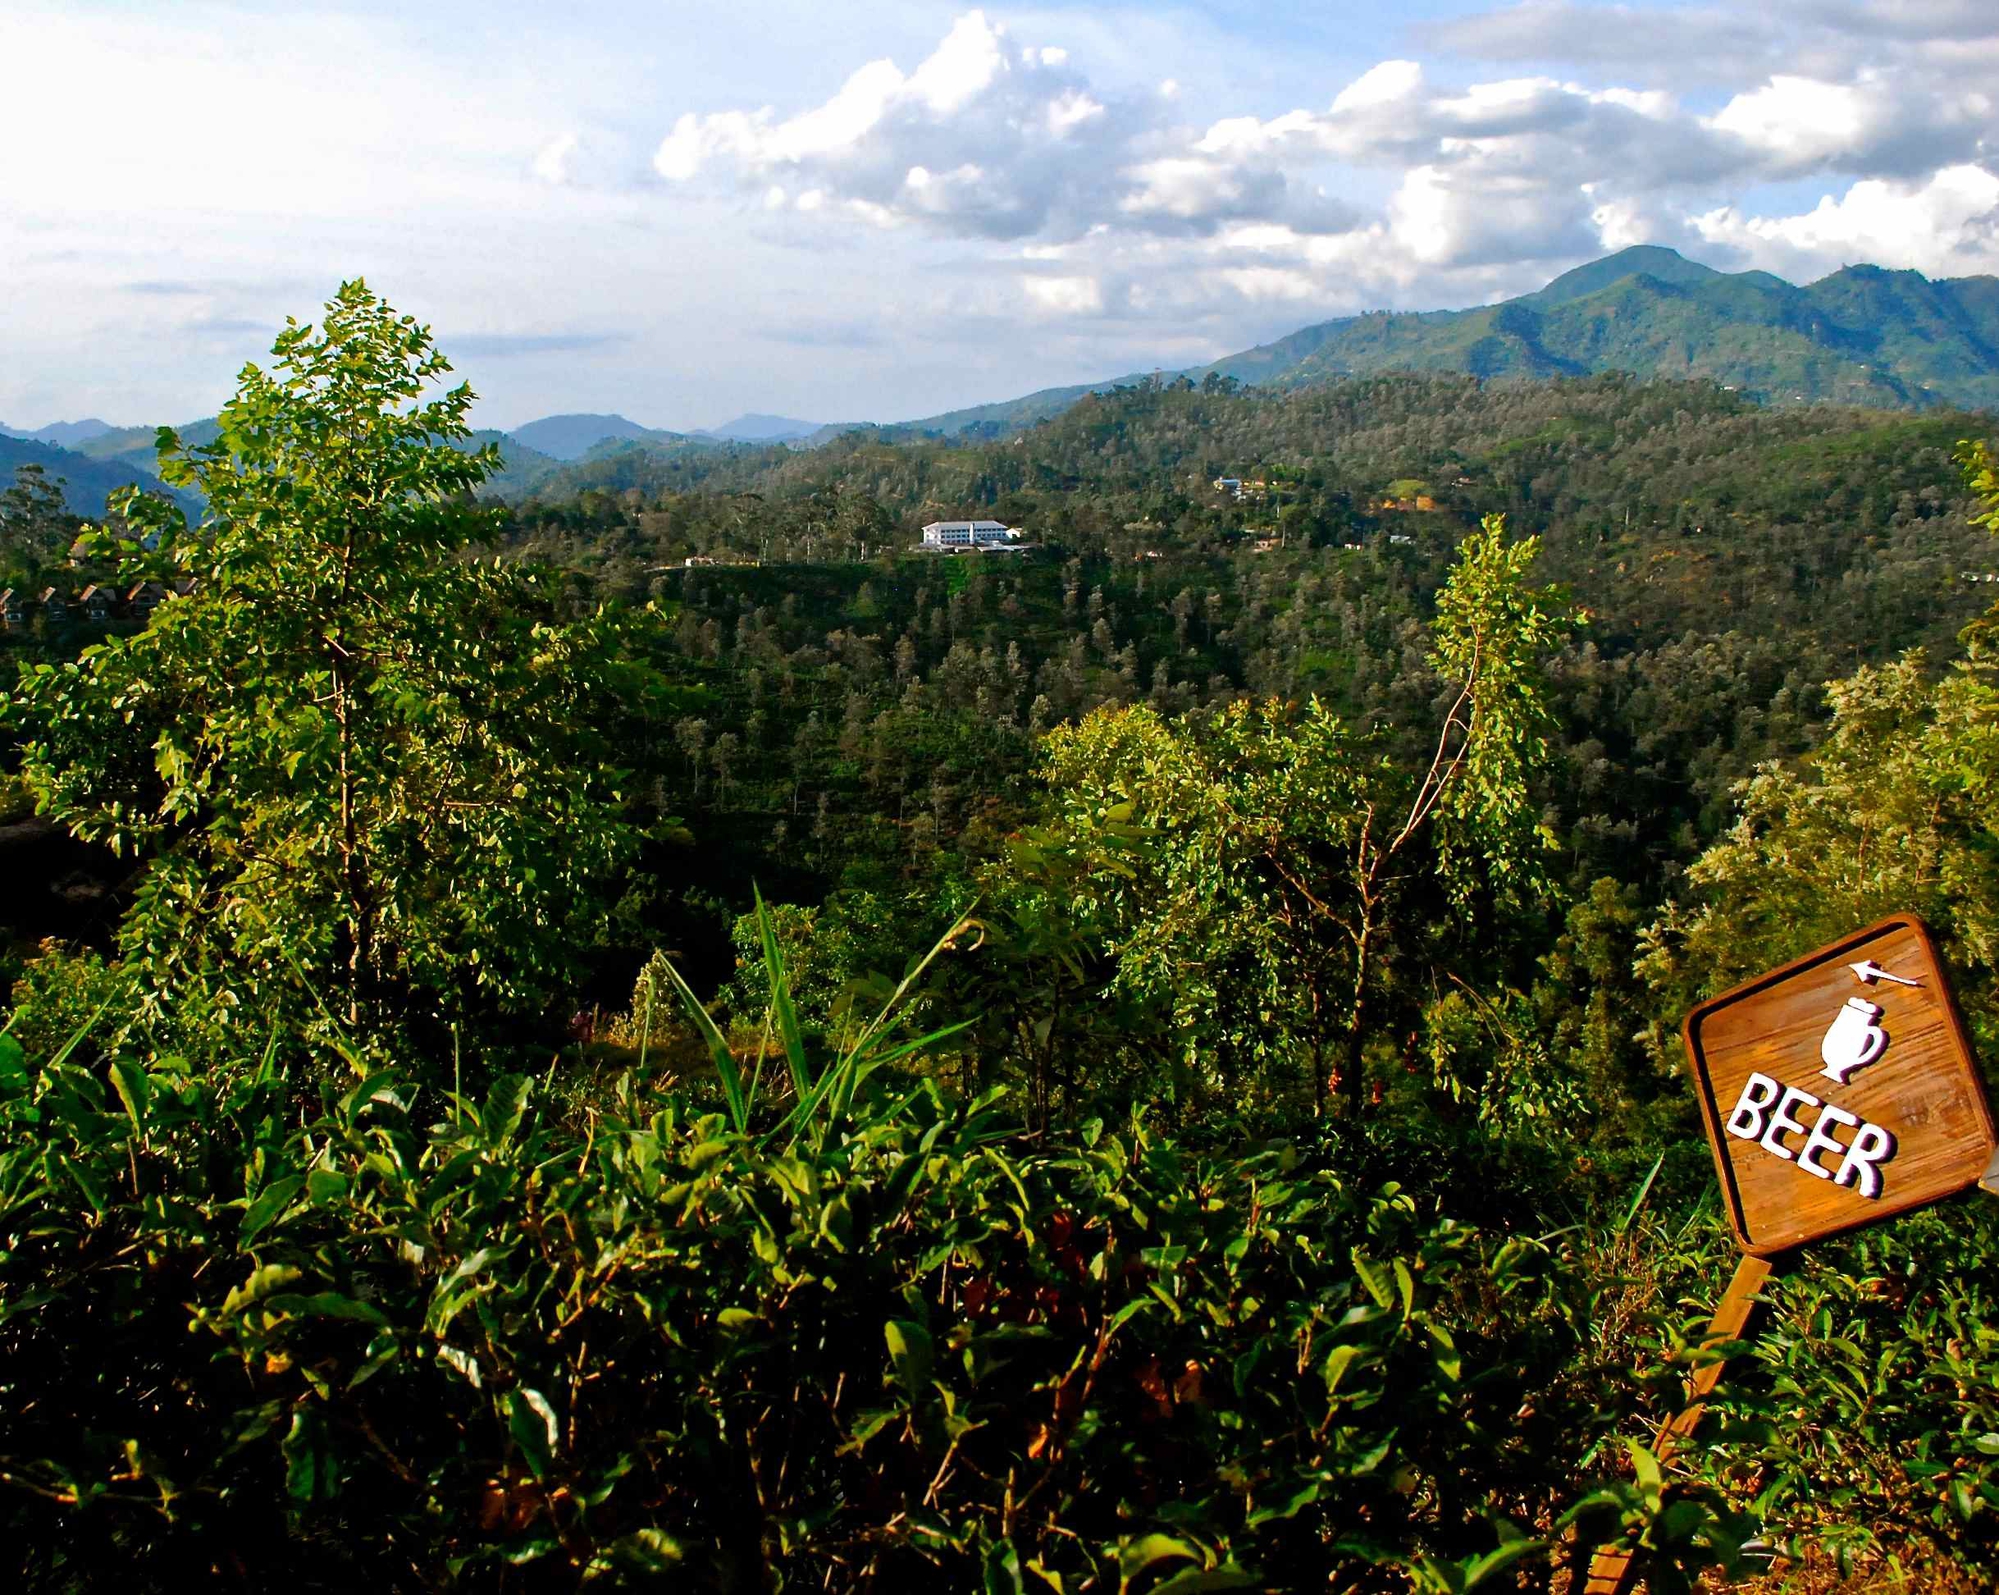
[[635, 1028]]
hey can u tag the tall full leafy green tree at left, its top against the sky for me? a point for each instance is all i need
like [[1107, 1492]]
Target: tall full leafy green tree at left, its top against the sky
[[359, 765]]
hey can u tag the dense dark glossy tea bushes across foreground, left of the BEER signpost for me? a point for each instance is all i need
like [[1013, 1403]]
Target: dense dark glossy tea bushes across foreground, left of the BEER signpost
[[419, 1342]]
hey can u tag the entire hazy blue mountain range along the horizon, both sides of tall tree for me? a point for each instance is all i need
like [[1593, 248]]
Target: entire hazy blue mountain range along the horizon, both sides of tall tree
[[1862, 337]]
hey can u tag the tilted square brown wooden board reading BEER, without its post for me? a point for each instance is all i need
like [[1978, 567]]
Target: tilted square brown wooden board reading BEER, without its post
[[1840, 1090]]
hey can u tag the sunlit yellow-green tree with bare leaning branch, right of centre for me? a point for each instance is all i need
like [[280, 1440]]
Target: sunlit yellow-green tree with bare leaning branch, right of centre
[[1276, 850]]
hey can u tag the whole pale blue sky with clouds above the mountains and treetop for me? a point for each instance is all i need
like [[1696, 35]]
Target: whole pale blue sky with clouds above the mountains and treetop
[[683, 209]]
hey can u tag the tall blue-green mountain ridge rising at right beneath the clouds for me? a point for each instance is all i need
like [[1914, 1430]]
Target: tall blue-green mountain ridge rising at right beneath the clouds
[[1858, 337]]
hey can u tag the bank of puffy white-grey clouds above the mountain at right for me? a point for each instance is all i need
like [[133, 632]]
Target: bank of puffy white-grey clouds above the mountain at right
[[1486, 185]]
